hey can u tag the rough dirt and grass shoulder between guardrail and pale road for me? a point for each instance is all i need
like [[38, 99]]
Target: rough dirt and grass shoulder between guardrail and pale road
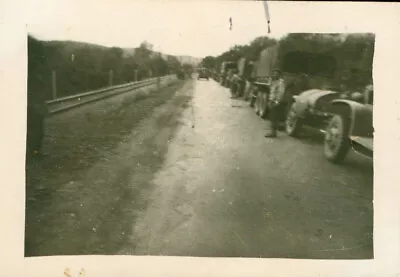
[[81, 195]]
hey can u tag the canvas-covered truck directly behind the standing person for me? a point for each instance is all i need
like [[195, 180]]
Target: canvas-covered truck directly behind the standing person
[[301, 70]]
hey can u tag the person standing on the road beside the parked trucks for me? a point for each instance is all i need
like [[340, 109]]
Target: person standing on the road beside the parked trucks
[[276, 96]]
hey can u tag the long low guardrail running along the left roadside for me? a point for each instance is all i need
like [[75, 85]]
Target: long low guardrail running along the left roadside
[[67, 103]]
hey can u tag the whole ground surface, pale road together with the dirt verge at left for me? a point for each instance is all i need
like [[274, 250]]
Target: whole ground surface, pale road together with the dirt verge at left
[[195, 177]]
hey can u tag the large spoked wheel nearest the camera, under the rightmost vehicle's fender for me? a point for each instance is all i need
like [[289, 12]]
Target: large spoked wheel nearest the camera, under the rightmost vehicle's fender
[[337, 142]]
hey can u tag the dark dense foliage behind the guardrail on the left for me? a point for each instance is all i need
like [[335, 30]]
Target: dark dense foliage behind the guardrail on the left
[[82, 67]]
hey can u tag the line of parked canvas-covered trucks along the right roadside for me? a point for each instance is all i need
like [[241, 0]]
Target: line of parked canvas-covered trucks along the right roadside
[[317, 93]]
